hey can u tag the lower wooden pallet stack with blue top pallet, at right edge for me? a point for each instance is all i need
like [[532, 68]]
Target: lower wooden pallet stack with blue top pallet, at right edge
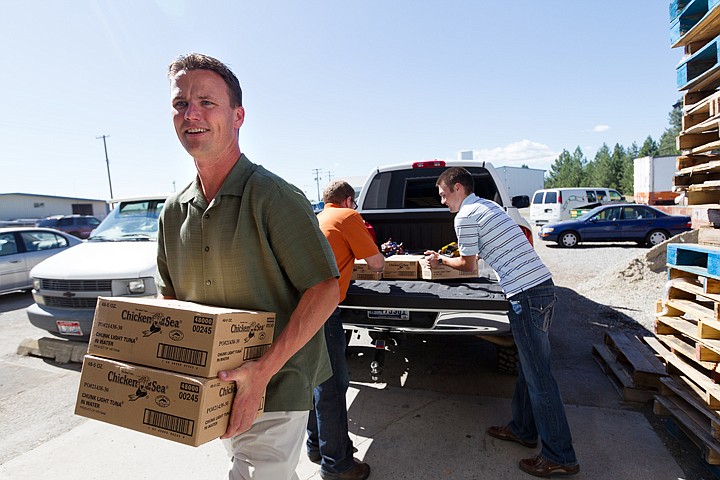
[[687, 339]]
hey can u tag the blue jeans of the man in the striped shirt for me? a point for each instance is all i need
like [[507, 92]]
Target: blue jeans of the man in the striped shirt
[[537, 406]]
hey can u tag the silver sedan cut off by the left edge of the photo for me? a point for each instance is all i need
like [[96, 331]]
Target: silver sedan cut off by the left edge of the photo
[[21, 248]]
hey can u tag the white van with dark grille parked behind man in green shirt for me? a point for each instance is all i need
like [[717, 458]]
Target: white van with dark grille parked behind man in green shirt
[[119, 259]]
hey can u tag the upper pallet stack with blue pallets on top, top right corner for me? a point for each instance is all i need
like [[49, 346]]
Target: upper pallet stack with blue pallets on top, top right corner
[[695, 26]]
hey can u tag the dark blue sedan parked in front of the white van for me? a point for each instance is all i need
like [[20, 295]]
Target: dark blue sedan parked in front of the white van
[[617, 223]]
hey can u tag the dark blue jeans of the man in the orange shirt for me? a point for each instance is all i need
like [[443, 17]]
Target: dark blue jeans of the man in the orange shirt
[[328, 425]]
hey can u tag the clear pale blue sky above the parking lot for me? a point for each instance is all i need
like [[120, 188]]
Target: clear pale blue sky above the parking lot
[[337, 86]]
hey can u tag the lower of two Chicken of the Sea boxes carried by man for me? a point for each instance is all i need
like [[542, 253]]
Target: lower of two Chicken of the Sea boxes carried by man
[[182, 408]]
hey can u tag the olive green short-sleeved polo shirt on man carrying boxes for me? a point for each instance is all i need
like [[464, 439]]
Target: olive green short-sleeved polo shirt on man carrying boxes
[[256, 246]]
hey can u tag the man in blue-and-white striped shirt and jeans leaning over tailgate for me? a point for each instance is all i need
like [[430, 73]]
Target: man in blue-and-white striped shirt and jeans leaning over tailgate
[[485, 230]]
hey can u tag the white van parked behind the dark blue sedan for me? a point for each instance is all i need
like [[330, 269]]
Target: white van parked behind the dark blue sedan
[[552, 205]]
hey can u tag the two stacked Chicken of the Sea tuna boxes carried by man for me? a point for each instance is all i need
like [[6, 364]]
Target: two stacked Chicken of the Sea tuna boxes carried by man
[[152, 365]]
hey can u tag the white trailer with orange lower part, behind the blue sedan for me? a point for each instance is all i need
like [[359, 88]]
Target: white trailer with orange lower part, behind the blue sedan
[[653, 180]]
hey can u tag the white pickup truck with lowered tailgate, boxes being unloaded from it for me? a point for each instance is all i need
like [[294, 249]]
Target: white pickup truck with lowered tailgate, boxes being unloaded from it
[[402, 202]]
